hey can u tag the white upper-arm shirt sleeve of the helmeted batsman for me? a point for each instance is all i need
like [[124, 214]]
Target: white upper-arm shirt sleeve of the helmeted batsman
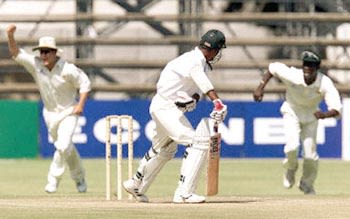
[[201, 79]]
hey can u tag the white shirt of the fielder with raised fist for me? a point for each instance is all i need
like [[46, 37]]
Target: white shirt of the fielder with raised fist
[[58, 87]]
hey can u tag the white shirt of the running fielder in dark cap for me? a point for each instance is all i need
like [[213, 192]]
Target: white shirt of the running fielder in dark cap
[[303, 97]]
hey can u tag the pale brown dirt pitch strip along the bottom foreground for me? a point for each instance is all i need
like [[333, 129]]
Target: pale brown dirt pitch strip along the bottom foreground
[[311, 207]]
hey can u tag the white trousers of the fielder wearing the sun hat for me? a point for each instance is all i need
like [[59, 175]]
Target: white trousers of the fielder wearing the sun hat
[[62, 130]]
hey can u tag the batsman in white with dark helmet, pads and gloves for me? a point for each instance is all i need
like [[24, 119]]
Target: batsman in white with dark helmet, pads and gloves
[[178, 89]]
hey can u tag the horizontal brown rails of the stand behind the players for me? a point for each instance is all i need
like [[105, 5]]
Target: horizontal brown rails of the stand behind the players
[[266, 18]]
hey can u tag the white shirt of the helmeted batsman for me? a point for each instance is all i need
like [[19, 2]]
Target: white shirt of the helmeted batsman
[[187, 73]]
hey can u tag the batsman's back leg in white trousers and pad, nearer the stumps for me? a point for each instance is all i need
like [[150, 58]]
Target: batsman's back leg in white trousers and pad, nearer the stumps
[[172, 128]]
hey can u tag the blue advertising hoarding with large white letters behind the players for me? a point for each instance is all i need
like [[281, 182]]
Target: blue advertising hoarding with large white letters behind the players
[[250, 130]]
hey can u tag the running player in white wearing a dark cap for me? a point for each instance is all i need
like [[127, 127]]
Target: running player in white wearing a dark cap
[[305, 89]]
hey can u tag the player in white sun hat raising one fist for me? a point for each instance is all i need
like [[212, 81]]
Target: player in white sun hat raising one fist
[[58, 82]]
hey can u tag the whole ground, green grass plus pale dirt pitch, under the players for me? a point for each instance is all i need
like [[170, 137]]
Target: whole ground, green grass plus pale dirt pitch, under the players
[[249, 188]]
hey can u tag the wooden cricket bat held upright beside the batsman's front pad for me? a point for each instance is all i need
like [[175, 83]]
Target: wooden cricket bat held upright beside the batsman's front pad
[[213, 162]]
